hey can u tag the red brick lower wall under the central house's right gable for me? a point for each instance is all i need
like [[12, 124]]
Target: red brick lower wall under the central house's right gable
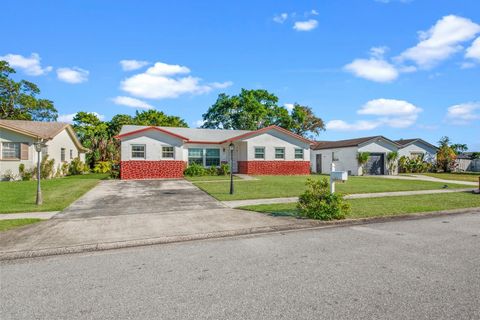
[[274, 167]]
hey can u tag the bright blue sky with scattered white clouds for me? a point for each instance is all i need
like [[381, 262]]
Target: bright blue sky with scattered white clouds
[[399, 68]]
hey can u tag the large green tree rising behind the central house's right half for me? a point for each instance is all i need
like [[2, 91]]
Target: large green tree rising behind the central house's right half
[[256, 109]]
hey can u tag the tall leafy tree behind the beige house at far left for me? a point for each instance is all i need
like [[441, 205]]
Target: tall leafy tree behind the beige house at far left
[[18, 100]]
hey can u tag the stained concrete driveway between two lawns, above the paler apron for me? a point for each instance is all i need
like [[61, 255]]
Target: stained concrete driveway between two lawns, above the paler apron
[[124, 197]]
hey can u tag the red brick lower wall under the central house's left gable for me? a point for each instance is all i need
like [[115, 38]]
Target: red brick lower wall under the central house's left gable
[[151, 169]]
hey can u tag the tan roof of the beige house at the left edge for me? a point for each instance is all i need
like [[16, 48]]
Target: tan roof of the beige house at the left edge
[[41, 130]]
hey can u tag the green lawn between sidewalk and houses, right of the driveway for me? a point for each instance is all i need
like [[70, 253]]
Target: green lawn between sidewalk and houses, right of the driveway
[[292, 186]]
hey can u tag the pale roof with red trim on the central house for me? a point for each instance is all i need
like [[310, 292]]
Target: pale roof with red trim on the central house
[[193, 135]]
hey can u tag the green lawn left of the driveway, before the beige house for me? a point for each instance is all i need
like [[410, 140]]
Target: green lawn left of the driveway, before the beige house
[[19, 196]]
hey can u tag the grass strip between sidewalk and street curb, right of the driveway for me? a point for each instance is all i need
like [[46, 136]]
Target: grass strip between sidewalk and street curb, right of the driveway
[[387, 206]]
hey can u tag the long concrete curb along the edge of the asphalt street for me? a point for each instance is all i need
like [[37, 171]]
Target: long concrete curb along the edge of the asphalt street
[[304, 225]]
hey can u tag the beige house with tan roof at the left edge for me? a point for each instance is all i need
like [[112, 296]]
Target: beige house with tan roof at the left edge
[[17, 138]]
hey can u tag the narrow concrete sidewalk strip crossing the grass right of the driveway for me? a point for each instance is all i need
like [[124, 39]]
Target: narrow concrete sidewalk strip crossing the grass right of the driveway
[[252, 202]]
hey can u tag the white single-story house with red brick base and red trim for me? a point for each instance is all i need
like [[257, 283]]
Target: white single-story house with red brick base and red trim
[[149, 152]]
